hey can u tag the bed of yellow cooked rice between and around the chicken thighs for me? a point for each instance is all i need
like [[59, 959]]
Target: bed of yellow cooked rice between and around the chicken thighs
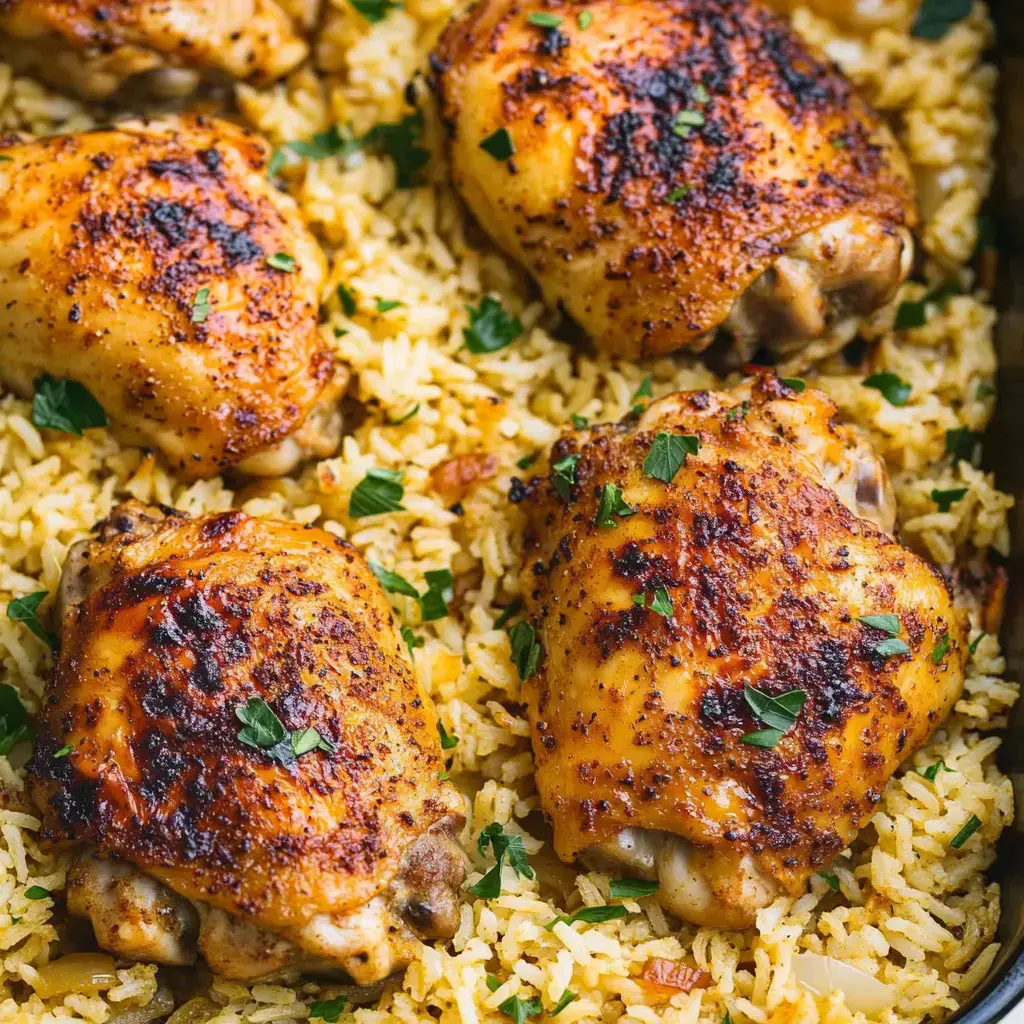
[[911, 911]]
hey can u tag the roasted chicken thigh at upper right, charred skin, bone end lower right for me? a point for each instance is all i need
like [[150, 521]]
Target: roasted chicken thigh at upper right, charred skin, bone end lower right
[[779, 207]]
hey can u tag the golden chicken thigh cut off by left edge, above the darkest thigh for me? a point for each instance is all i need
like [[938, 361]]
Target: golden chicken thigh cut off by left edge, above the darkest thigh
[[155, 265]]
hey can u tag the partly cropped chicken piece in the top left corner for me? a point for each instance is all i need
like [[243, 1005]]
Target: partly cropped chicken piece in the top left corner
[[96, 47]]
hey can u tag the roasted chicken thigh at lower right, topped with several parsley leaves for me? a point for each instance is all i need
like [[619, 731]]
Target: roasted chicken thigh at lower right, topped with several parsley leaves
[[734, 663]]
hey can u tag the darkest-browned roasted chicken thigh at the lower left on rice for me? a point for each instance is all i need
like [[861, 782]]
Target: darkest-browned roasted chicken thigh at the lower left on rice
[[238, 752]]
